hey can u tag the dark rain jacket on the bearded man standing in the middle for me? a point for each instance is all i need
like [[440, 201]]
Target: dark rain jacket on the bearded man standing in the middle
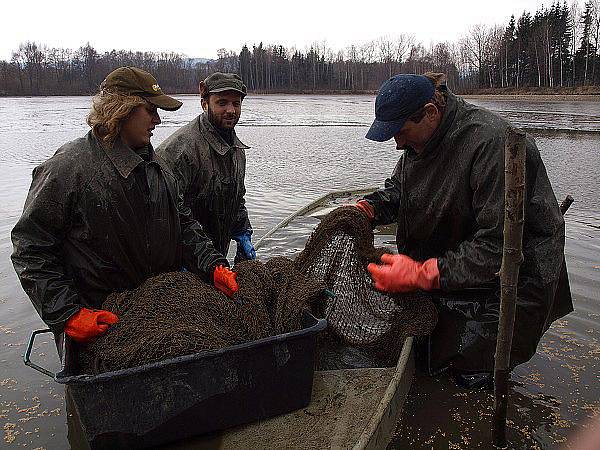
[[211, 175]]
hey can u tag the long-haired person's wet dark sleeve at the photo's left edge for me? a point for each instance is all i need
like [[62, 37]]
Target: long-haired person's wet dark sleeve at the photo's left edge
[[38, 240]]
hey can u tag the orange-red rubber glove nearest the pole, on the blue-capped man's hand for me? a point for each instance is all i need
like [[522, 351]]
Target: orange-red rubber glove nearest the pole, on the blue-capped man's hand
[[400, 273]]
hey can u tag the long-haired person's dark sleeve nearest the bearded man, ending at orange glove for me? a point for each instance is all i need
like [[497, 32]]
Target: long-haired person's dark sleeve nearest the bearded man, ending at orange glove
[[199, 254]]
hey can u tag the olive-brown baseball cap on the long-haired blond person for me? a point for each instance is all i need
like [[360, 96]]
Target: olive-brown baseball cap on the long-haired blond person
[[134, 81]]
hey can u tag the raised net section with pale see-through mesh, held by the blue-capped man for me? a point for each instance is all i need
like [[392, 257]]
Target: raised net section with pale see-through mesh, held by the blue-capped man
[[337, 254]]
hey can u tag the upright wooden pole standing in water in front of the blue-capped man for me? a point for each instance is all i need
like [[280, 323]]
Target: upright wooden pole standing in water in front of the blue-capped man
[[512, 257]]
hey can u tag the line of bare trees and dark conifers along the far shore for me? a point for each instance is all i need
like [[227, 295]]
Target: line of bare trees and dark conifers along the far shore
[[557, 46]]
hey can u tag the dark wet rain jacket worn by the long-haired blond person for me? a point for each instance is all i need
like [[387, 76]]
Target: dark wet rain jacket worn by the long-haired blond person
[[100, 220]]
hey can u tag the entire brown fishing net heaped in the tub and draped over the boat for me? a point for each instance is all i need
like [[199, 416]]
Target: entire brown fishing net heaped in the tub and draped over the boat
[[176, 313]]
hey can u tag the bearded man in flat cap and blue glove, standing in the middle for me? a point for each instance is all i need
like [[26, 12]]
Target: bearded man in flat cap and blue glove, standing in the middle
[[209, 162]]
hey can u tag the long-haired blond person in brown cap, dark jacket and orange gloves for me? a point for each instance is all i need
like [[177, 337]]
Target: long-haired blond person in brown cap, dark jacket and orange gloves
[[103, 214]]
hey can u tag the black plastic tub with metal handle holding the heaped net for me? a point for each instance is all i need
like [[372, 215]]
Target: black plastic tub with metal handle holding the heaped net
[[182, 397]]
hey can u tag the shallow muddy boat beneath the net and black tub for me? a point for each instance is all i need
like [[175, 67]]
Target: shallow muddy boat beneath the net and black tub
[[350, 408]]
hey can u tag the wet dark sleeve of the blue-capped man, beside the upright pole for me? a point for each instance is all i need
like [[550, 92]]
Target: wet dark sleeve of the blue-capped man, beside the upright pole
[[477, 260]]
